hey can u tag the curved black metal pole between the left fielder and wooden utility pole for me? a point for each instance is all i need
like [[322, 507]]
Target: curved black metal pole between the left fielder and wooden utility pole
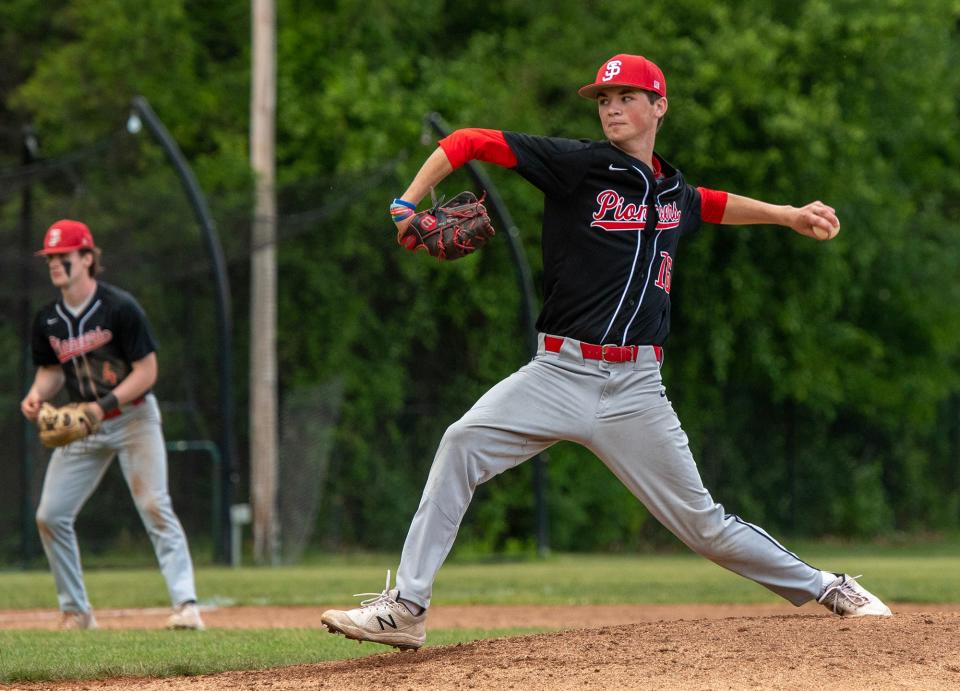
[[228, 475]]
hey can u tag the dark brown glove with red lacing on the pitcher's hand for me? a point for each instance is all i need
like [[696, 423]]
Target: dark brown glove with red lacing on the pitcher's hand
[[452, 230]]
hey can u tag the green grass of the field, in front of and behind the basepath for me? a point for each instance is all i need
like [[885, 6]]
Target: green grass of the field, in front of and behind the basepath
[[908, 572]]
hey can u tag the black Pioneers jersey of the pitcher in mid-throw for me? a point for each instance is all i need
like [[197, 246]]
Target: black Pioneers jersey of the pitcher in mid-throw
[[611, 228]]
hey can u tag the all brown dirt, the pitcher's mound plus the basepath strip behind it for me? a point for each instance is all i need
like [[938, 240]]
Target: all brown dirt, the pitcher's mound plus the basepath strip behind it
[[657, 647]]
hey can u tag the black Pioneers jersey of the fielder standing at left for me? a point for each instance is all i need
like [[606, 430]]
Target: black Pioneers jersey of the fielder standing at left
[[95, 348]]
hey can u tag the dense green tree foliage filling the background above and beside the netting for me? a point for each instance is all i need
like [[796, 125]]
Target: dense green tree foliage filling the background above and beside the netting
[[818, 383]]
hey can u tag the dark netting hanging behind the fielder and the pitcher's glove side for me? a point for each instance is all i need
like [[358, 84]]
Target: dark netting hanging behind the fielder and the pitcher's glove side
[[378, 351]]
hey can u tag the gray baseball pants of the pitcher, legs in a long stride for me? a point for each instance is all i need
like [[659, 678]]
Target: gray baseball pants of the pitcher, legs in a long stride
[[619, 412]]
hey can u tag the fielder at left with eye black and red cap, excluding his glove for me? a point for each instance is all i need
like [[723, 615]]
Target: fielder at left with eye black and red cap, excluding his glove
[[95, 341]]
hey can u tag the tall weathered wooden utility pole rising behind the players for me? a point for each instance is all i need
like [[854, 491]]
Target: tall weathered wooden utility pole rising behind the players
[[263, 288]]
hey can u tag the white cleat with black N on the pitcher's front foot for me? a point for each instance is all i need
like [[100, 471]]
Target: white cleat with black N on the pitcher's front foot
[[380, 619]]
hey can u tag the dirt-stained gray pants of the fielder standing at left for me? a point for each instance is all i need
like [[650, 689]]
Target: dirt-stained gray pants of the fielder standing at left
[[74, 472]]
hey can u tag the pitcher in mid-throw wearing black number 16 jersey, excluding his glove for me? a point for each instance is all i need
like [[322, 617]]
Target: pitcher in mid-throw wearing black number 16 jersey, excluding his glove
[[614, 213]]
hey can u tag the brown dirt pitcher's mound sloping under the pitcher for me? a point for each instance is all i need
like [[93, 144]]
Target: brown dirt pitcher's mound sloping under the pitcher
[[801, 651]]
